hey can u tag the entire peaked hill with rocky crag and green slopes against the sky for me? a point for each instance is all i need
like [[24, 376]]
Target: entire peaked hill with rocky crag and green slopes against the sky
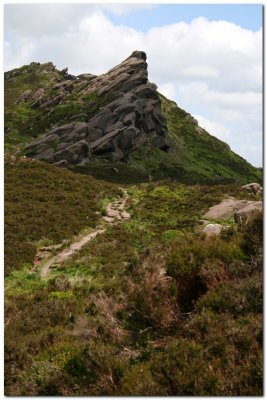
[[115, 126]]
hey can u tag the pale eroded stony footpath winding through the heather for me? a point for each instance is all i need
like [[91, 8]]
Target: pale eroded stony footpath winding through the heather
[[115, 213]]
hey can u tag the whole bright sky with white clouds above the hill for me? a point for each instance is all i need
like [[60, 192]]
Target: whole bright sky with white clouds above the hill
[[205, 57]]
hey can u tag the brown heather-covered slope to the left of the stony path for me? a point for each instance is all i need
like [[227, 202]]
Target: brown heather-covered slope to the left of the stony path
[[46, 204]]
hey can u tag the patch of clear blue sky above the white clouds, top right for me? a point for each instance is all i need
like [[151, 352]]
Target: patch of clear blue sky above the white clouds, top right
[[246, 15]]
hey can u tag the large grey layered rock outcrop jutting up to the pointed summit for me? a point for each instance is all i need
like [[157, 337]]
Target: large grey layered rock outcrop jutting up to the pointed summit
[[131, 118]]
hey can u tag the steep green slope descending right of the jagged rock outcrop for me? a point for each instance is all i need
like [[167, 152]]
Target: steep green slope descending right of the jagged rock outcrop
[[201, 154]]
